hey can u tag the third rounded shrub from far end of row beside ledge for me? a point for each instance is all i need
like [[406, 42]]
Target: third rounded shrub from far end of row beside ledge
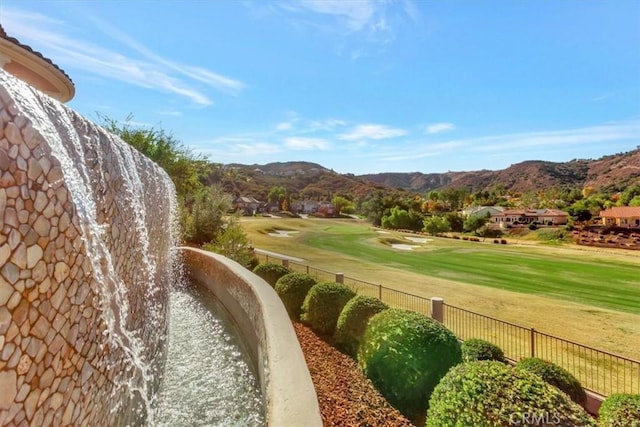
[[323, 304]]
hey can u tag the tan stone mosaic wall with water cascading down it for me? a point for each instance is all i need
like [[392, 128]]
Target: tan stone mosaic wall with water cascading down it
[[85, 265]]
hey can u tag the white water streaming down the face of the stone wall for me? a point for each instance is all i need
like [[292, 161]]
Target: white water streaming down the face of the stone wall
[[134, 328]]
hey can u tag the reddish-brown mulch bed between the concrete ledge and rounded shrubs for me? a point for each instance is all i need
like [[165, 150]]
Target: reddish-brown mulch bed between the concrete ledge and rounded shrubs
[[345, 395]]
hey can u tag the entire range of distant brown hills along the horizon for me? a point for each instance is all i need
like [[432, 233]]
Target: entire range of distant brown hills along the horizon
[[310, 180]]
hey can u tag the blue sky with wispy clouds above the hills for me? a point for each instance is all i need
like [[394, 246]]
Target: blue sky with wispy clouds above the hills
[[356, 86]]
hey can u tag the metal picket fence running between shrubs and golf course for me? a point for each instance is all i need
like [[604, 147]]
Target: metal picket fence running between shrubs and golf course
[[597, 370]]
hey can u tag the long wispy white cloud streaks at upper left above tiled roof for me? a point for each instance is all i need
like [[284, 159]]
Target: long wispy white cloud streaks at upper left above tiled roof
[[149, 70]]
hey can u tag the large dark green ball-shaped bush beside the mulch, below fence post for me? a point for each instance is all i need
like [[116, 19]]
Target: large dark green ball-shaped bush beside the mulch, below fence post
[[405, 354]]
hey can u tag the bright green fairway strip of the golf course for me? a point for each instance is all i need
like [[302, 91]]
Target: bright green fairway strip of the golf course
[[589, 279]]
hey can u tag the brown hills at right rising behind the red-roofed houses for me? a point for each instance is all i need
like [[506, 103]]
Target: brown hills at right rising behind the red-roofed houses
[[614, 172]]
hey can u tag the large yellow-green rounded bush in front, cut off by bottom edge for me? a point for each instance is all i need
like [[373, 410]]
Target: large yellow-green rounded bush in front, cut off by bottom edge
[[490, 393]]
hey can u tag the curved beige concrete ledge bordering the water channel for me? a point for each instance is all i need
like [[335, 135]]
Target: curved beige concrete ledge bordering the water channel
[[291, 398]]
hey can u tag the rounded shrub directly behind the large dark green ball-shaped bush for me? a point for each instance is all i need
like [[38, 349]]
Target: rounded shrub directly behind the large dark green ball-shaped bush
[[353, 321]]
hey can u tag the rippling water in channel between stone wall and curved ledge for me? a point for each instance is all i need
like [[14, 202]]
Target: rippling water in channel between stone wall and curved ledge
[[208, 380]]
